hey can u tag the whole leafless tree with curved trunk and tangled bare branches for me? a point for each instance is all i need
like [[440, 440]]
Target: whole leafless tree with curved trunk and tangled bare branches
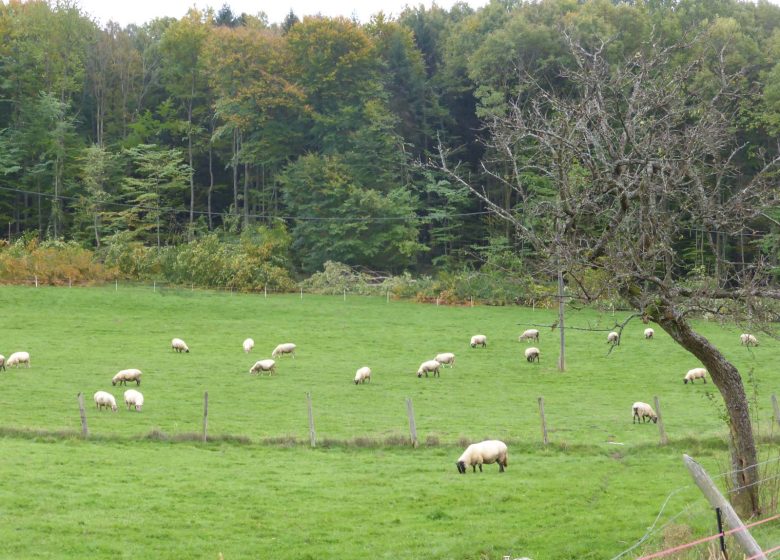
[[613, 172]]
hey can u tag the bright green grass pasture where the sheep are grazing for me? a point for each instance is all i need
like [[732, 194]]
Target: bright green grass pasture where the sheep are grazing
[[120, 494]]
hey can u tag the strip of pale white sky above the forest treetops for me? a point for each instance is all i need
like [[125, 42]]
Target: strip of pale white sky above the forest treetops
[[140, 11]]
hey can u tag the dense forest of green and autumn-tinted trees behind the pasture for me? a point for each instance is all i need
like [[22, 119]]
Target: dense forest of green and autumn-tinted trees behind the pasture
[[216, 122]]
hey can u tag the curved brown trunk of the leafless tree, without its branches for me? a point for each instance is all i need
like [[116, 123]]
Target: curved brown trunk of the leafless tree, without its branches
[[727, 379]]
